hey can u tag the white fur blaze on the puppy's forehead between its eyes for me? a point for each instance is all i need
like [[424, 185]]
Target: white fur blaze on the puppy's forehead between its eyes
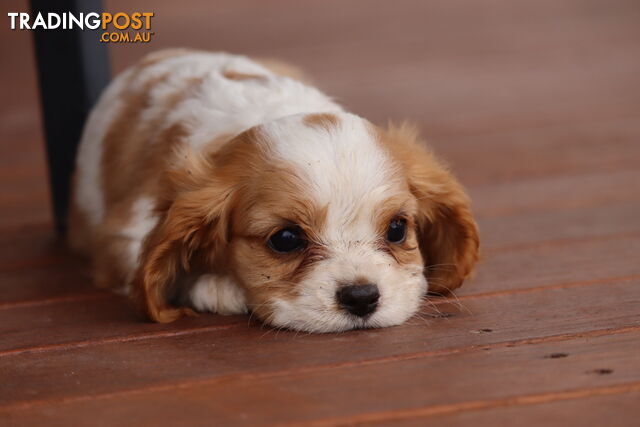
[[344, 168]]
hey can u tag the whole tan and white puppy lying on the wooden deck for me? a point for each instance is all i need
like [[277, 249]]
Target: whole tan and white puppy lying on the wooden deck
[[212, 182]]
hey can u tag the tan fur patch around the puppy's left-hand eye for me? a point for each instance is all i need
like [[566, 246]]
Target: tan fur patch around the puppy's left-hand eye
[[270, 199]]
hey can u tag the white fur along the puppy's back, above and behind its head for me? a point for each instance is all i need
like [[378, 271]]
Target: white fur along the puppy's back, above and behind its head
[[221, 106]]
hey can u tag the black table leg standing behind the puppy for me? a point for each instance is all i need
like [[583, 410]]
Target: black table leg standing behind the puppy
[[73, 68]]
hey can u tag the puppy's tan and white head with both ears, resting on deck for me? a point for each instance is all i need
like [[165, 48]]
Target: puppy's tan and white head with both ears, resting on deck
[[327, 223]]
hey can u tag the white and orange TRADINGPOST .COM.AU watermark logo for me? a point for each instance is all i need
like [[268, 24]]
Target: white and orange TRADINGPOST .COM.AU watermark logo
[[118, 27]]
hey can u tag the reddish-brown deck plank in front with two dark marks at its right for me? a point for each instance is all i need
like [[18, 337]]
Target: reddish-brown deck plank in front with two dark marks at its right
[[385, 391]]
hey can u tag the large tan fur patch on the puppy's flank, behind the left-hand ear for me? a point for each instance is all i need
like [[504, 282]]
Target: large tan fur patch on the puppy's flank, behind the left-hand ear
[[134, 154]]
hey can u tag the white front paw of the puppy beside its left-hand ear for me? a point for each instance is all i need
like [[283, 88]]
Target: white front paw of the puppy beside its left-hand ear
[[217, 294]]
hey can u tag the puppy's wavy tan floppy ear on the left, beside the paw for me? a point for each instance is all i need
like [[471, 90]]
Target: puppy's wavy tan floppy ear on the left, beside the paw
[[194, 222]]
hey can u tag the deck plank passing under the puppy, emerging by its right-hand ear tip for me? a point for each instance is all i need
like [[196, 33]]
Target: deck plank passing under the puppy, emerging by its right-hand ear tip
[[76, 307]]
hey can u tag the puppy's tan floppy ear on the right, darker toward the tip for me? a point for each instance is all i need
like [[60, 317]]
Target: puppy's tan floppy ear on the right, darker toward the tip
[[448, 234]]
